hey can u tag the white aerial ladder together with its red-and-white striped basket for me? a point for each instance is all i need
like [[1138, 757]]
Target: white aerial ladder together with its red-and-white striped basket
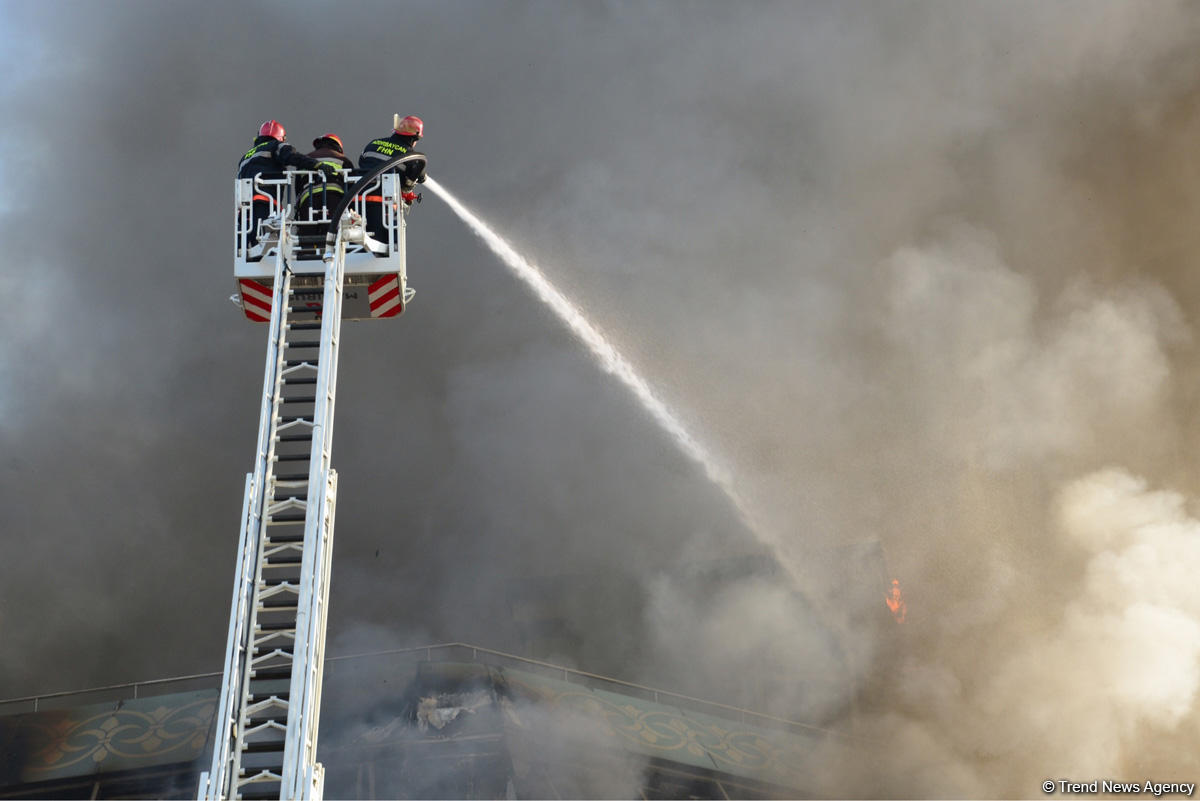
[[302, 269]]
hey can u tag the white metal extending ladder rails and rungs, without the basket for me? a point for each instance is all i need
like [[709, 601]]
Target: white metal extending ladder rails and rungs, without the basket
[[266, 744]]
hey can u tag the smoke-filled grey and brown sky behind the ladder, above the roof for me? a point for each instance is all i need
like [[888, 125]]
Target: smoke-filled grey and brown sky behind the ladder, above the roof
[[920, 274]]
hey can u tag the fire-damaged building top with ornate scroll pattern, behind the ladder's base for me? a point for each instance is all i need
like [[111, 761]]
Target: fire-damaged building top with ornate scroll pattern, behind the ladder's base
[[447, 721]]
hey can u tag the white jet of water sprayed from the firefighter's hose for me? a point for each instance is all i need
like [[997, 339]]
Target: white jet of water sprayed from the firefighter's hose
[[608, 357]]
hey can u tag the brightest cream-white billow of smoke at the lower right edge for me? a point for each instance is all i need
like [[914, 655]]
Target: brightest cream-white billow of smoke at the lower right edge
[[1123, 663]]
